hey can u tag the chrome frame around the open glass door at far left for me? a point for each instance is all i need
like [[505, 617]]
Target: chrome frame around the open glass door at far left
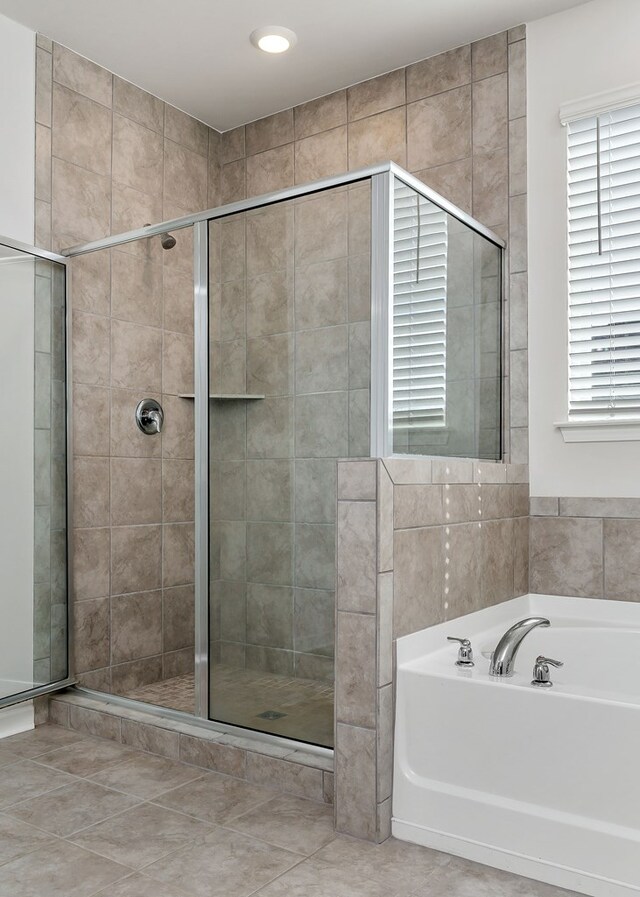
[[31, 693]]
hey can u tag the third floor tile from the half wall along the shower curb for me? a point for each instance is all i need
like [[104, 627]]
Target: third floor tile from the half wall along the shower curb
[[147, 776]]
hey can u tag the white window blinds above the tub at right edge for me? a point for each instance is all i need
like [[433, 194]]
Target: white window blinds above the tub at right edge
[[604, 264]]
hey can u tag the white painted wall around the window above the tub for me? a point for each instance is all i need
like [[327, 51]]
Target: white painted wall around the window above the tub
[[586, 50]]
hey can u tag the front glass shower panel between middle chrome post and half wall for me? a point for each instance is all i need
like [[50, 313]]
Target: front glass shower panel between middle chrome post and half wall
[[290, 387]]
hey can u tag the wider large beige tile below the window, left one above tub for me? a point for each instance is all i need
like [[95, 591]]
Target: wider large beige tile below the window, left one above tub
[[566, 556]]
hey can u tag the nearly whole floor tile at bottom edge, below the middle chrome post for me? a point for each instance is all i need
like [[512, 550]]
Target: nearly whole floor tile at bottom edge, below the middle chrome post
[[227, 864]]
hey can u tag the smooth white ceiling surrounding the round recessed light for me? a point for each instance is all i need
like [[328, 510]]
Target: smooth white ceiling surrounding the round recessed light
[[196, 54]]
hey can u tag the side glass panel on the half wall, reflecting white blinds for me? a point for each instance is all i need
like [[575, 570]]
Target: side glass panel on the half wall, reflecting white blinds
[[446, 332]]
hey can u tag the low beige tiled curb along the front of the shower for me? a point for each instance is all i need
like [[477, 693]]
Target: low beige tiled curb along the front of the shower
[[296, 772]]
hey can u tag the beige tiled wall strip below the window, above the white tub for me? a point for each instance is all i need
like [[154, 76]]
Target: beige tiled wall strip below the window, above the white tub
[[588, 547]]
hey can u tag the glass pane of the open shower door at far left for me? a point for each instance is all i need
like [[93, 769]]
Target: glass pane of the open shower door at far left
[[33, 474]]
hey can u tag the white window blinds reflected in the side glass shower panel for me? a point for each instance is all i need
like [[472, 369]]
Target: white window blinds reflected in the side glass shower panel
[[419, 311]]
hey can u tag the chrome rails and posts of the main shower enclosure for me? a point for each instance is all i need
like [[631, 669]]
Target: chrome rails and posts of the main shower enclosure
[[382, 180]]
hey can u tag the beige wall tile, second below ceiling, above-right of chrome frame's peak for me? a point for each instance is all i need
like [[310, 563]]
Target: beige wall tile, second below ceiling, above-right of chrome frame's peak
[[439, 129]]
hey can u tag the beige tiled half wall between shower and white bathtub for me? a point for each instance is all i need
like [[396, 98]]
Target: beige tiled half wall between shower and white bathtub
[[419, 542]]
